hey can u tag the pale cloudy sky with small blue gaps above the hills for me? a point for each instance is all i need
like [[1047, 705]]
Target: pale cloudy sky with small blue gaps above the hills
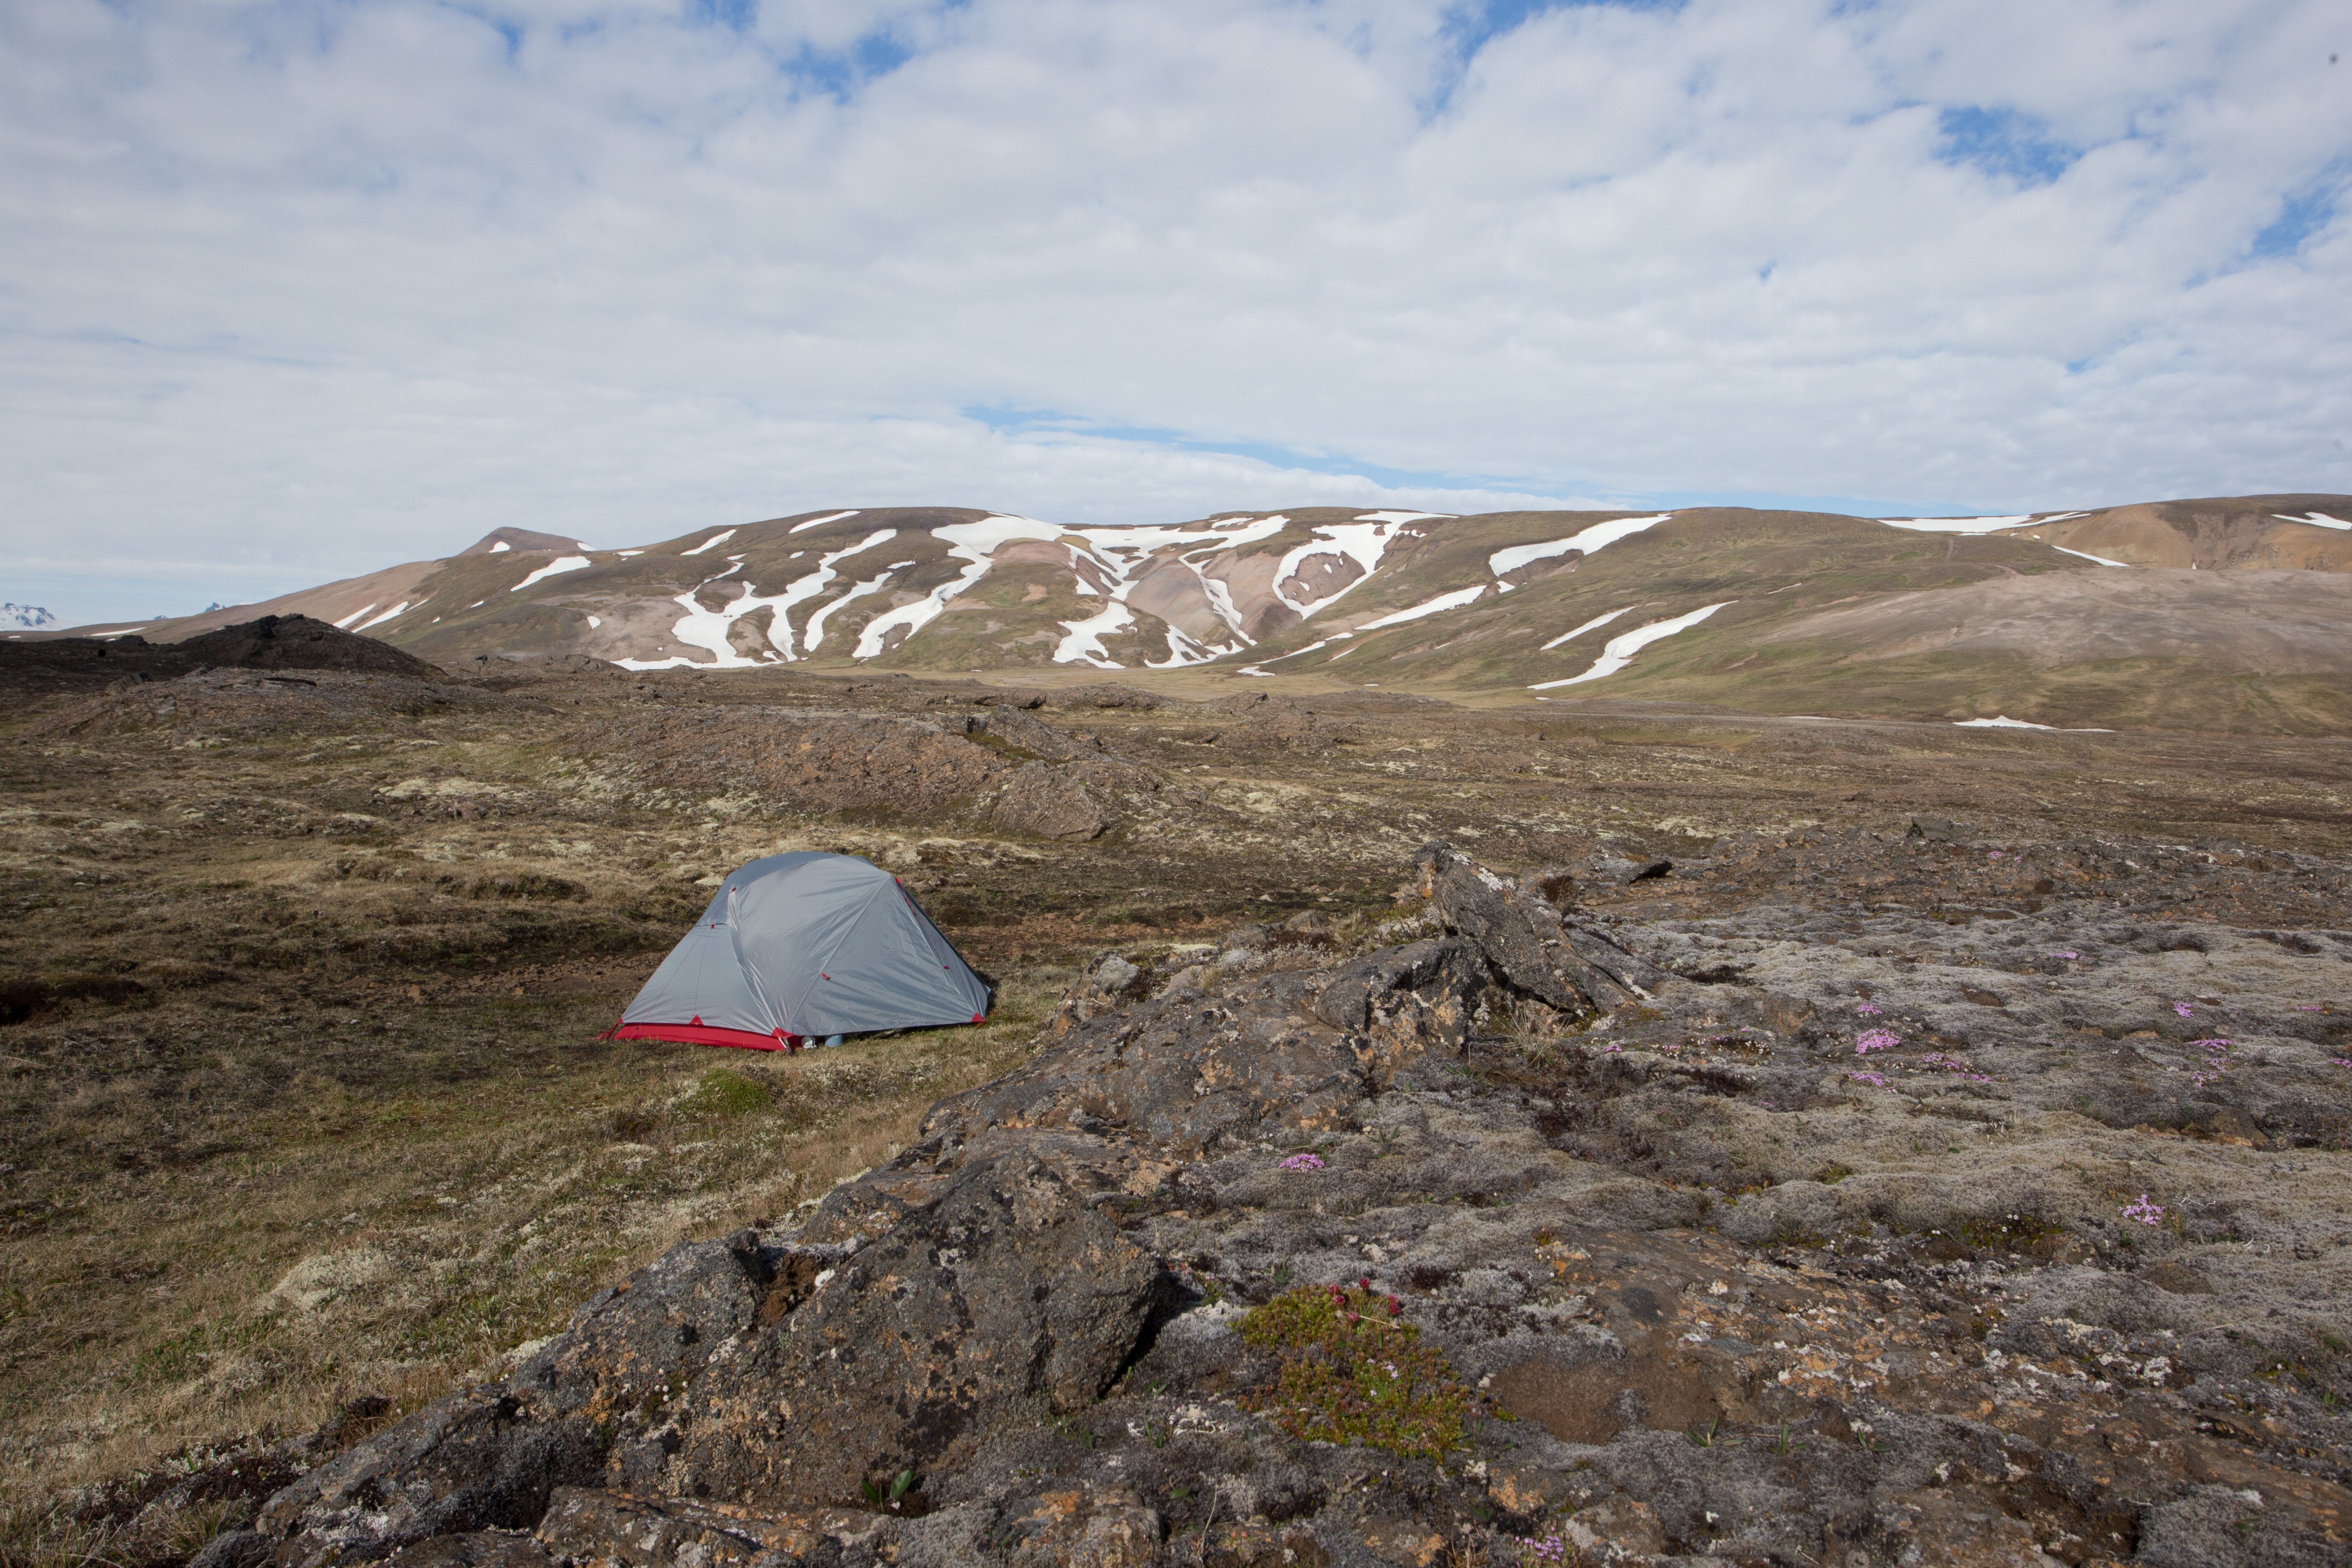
[[302, 288]]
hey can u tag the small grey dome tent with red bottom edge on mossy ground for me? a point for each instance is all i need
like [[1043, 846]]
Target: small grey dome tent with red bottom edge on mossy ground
[[803, 946]]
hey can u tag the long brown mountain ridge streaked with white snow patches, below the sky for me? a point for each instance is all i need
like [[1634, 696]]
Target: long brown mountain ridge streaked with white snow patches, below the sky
[[1553, 605]]
